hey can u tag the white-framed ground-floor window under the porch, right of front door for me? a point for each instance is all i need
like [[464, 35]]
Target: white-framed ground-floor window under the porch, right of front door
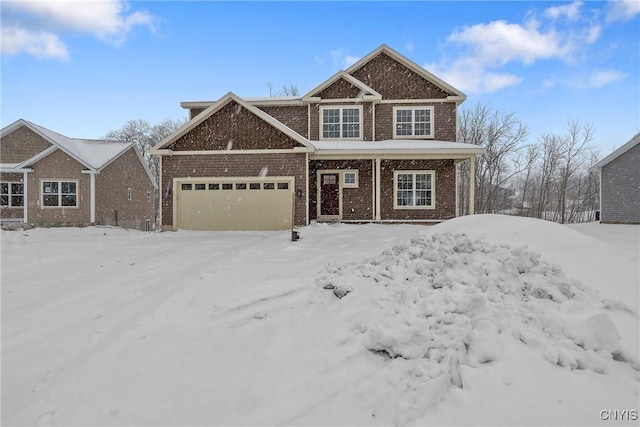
[[414, 189]]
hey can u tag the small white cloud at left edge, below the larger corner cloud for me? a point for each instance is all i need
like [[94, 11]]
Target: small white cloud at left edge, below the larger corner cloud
[[41, 44]]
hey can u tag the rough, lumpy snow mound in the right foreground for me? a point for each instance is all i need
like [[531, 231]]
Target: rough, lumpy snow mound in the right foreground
[[446, 300]]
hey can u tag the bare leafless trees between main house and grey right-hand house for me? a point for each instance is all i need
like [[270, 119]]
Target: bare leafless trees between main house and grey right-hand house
[[546, 179]]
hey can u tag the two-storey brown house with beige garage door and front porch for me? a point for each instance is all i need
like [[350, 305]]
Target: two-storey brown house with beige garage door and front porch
[[373, 143]]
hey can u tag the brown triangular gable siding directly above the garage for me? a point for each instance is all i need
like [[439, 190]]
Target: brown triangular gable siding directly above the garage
[[233, 127]]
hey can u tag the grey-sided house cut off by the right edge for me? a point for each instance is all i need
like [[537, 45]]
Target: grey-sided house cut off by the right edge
[[620, 184]]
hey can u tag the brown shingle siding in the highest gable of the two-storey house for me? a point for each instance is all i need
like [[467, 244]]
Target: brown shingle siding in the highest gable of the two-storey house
[[393, 80]]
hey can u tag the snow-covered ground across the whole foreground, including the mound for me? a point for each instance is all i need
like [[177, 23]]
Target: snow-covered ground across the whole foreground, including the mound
[[483, 320]]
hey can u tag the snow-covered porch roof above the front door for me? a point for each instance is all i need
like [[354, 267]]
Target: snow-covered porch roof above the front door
[[426, 146]]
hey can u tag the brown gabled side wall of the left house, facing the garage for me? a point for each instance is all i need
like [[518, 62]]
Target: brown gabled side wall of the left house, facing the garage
[[113, 206]]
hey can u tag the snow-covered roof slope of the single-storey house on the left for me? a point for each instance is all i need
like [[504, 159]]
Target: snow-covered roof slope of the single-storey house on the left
[[93, 153]]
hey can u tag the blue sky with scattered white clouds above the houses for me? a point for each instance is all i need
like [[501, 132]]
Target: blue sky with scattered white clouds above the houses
[[85, 68]]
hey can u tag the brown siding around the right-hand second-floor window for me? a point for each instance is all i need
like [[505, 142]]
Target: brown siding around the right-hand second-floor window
[[444, 116]]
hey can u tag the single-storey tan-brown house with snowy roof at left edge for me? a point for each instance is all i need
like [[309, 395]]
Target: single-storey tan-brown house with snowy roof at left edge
[[50, 179]]
